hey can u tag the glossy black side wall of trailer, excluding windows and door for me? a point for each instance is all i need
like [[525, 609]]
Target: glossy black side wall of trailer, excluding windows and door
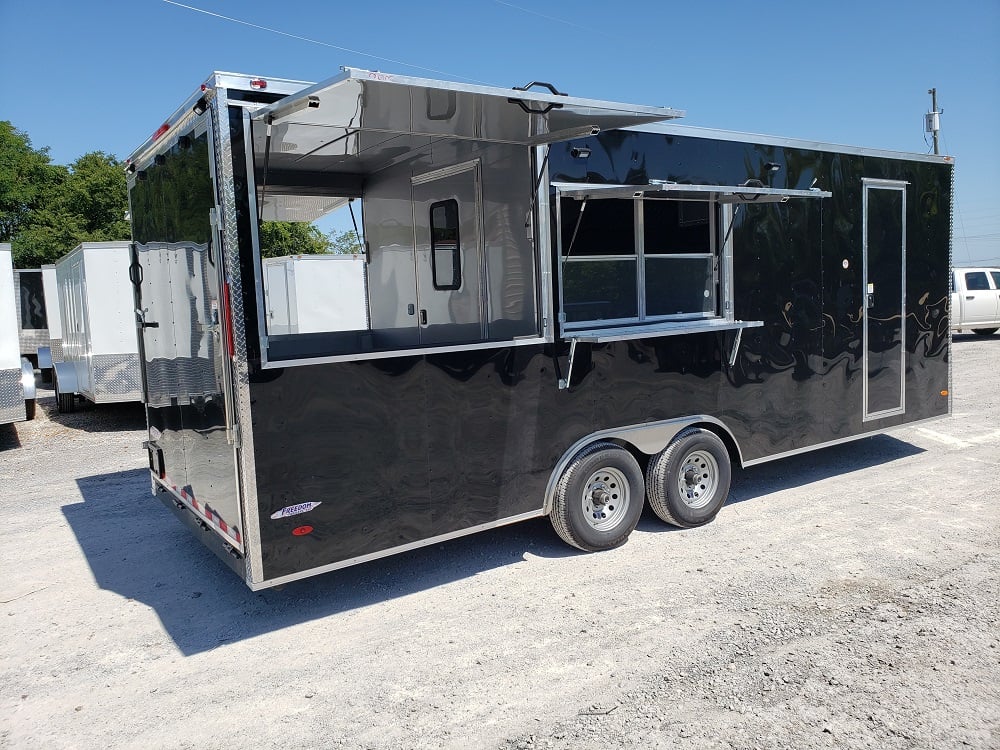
[[402, 450]]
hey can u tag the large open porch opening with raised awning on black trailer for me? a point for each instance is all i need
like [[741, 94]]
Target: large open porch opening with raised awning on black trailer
[[437, 177]]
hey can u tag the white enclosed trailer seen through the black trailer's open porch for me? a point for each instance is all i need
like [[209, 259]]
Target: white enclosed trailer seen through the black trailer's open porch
[[315, 293]]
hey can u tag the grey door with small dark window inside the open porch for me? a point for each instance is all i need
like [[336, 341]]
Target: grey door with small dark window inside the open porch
[[447, 220]]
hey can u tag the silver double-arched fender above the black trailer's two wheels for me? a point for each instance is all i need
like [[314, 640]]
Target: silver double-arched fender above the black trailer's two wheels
[[648, 439]]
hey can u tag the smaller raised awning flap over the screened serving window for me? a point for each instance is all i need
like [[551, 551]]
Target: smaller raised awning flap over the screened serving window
[[677, 191]]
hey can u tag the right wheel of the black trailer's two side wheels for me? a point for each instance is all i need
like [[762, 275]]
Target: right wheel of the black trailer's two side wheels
[[688, 482]]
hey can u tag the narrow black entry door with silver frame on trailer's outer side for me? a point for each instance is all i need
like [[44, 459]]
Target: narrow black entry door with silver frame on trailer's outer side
[[884, 210]]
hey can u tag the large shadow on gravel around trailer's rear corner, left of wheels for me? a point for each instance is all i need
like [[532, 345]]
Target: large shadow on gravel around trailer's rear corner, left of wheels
[[137, 549]]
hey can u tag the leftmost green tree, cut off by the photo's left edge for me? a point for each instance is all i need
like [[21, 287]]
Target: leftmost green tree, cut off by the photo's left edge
[[26, 176]]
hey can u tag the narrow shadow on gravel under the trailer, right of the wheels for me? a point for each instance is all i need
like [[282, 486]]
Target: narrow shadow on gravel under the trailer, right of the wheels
[[803, 469]]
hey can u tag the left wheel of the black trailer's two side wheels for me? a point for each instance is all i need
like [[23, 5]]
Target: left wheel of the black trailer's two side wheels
[[598, 499]]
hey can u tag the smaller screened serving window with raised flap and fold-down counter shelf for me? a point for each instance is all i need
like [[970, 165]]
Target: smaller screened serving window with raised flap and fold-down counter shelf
[[638, 260]]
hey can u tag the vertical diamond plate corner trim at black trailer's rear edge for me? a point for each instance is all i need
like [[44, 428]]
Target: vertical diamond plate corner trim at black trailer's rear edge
[[241, 375]]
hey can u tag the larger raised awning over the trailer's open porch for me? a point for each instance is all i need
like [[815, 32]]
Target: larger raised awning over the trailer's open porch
[[369, 120]]
